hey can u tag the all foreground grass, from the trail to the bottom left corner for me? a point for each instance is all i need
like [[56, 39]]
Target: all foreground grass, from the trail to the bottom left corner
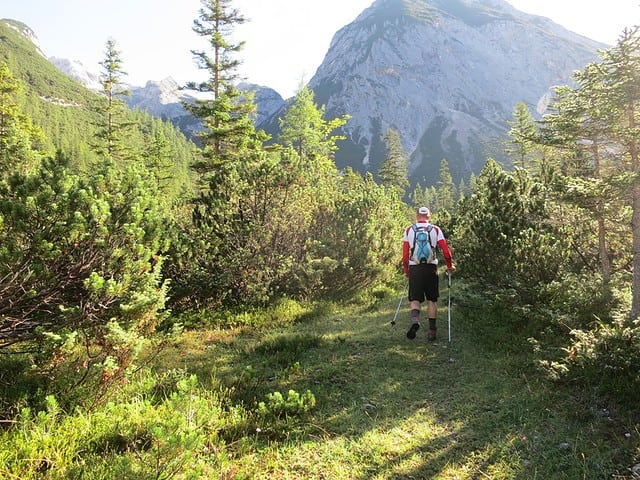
[[385, 408]]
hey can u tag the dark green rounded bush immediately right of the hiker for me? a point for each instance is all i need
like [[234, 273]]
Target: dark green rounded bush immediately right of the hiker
[[502, 234]]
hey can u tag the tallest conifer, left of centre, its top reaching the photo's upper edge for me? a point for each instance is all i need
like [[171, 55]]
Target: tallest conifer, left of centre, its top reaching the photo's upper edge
[[217, 243]]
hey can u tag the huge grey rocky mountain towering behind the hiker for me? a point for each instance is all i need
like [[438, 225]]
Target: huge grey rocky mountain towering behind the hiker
[[447, 74]]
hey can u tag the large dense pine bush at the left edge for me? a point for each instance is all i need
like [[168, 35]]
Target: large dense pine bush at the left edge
[[79, 265]]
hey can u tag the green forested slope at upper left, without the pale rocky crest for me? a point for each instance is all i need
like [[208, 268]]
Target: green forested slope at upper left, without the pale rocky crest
[[60, 114]]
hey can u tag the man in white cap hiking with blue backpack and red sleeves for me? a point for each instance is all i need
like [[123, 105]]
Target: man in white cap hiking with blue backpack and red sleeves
[[419, 248]]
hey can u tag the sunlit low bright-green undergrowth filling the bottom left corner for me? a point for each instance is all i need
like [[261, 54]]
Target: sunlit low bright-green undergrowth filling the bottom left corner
[[128, 440]]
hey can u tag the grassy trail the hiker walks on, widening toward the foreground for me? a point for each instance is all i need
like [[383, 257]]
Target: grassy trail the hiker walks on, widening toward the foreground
[[393, 408]]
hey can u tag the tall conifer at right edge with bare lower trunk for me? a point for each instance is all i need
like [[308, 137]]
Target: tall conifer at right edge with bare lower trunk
[[595, 125]]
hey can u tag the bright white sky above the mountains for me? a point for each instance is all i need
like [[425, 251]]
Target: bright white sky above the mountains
[[285, 40]]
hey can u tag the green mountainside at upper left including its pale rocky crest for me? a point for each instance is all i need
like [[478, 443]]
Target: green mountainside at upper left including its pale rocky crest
[[66, 111]]
